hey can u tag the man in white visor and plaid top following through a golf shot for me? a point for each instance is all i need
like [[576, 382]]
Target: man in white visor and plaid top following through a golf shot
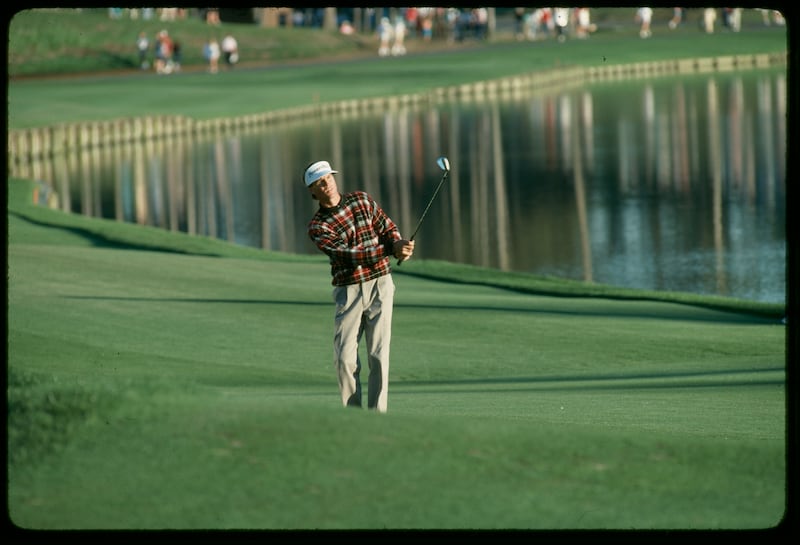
[[358, 238]]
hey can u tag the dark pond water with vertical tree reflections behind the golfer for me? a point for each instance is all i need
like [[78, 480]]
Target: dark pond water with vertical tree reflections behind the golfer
[[674, 184]]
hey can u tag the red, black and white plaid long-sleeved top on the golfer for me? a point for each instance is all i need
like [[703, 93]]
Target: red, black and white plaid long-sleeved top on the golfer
[[357, 236]]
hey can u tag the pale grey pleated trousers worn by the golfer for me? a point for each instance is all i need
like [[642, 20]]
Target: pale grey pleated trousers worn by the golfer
[[364, 310]]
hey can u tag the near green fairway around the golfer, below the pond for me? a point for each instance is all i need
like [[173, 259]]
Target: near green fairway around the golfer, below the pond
[[164, 389]]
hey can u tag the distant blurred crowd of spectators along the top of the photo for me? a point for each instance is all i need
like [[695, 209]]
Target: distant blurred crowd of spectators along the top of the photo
[[393, 27]]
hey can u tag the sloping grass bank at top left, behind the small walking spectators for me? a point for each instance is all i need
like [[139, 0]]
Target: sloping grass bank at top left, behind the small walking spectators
[[65, 41]]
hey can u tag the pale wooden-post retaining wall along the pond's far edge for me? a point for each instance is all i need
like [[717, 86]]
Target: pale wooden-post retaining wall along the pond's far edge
[[31, 144]]
